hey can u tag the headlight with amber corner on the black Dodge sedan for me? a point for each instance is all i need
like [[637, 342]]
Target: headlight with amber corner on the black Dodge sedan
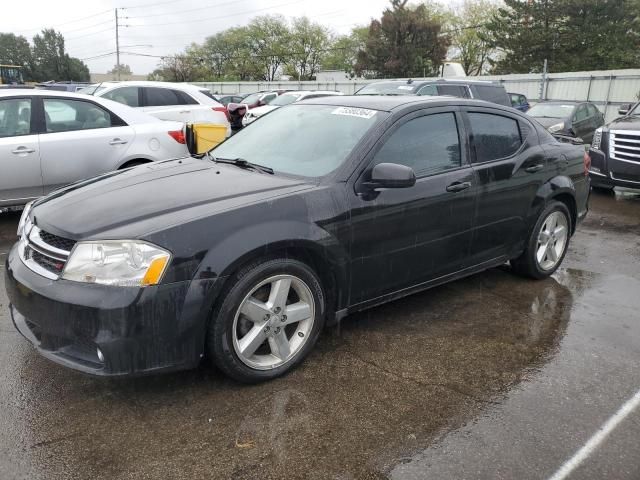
[[117, 263]]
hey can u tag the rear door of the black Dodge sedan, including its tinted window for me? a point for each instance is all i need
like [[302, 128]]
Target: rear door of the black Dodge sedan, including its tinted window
[[510, 166]]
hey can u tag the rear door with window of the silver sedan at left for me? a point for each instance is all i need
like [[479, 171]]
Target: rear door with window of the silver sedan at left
[[81, 139]]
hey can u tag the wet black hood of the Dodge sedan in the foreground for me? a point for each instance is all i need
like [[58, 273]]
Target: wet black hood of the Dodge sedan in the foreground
[[133, 202]]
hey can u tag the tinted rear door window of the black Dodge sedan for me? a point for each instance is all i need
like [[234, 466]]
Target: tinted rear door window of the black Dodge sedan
[[493, 136]]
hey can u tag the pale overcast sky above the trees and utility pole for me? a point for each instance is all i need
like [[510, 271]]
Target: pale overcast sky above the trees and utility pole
[[165, 26]]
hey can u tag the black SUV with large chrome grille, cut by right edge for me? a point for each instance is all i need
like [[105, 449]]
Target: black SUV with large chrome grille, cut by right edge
[[615, 151]]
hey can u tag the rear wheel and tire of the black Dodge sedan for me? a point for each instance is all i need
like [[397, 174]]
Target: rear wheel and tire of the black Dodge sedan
[[548, 243]]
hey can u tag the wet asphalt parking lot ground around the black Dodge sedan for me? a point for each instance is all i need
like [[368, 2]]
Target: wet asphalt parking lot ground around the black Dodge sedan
[[491, 377]]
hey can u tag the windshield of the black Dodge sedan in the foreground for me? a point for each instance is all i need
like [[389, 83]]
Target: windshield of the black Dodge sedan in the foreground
[[323, 138]]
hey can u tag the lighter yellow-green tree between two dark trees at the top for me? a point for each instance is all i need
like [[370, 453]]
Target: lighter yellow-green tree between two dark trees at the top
[[470, 45]]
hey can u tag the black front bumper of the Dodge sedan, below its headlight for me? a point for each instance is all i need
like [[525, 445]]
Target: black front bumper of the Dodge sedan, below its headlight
[[138, 330]]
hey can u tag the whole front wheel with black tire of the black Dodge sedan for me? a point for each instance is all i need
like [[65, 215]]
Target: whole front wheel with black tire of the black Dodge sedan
[[268, 320]]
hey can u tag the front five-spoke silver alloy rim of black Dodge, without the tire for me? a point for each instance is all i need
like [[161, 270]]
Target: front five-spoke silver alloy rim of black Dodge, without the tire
[[273, 322]]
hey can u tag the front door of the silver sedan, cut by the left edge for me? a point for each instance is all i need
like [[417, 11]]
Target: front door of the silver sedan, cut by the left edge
[[20, 175]]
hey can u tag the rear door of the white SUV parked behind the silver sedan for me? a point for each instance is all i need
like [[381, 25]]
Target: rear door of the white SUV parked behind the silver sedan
[[168, 104]]
